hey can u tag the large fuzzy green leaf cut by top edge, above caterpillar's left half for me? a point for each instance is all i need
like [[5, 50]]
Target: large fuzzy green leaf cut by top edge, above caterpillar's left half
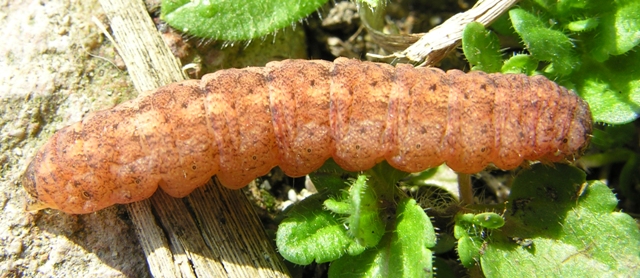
[[235, 20]]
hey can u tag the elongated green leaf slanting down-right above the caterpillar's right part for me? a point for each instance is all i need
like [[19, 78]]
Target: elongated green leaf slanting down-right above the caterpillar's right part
[[545, 44]]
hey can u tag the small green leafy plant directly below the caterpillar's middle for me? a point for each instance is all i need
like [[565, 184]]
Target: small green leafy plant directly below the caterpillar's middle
[[366, 227]]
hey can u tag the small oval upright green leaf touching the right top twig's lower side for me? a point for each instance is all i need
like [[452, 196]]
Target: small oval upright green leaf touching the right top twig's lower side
[[482, 48]]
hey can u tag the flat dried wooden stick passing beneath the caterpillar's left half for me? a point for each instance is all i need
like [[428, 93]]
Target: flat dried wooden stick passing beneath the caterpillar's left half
[[238, 247]]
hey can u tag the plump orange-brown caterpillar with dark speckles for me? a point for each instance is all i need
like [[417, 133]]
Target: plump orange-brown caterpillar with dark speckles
[[239, 123]]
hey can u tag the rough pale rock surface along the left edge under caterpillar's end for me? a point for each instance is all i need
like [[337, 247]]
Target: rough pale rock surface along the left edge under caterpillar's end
[[55, 66]]
